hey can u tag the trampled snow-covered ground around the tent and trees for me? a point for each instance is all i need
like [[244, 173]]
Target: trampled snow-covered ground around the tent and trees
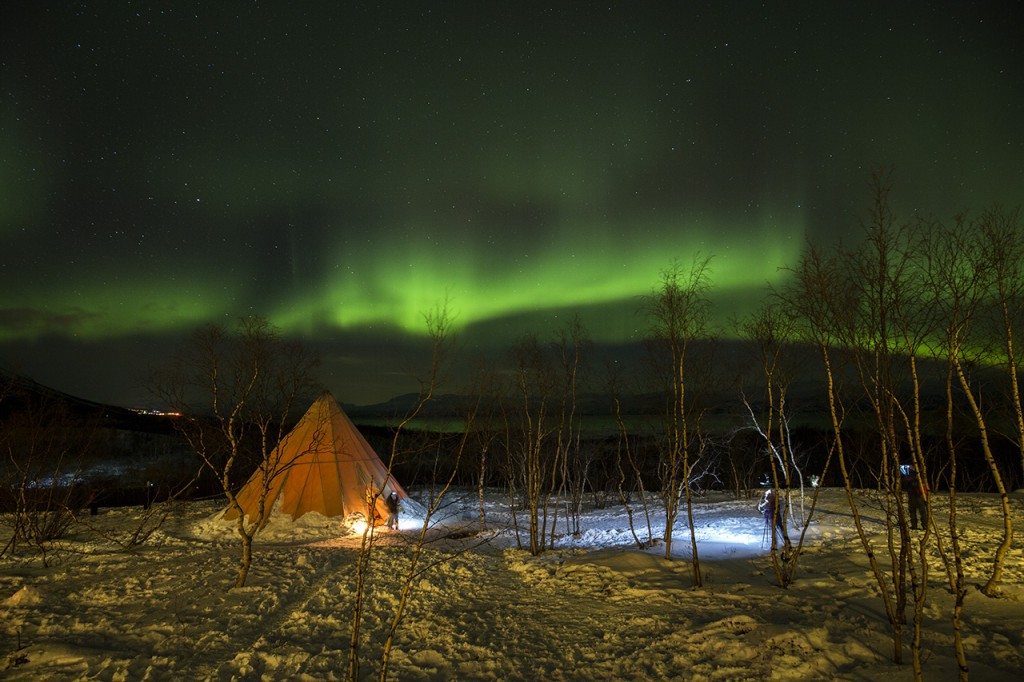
[[593, 609]]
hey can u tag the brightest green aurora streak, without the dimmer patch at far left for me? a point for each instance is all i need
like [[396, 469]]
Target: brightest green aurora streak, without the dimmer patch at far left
[[573, 274]]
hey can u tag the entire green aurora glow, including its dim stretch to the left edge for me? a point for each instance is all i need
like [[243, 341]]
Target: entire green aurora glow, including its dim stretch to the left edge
[[394, 287]]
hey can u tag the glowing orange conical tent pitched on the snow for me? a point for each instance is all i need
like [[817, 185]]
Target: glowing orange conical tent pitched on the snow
[[326, 466]]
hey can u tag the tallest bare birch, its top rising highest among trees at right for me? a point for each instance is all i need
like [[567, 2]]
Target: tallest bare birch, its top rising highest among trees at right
[[873, 304]]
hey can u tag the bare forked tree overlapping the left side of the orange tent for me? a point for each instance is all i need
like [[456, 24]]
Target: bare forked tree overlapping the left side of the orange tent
[[237, 392]]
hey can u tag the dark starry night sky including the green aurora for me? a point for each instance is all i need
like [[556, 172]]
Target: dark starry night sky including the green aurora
[[342, 168]]
